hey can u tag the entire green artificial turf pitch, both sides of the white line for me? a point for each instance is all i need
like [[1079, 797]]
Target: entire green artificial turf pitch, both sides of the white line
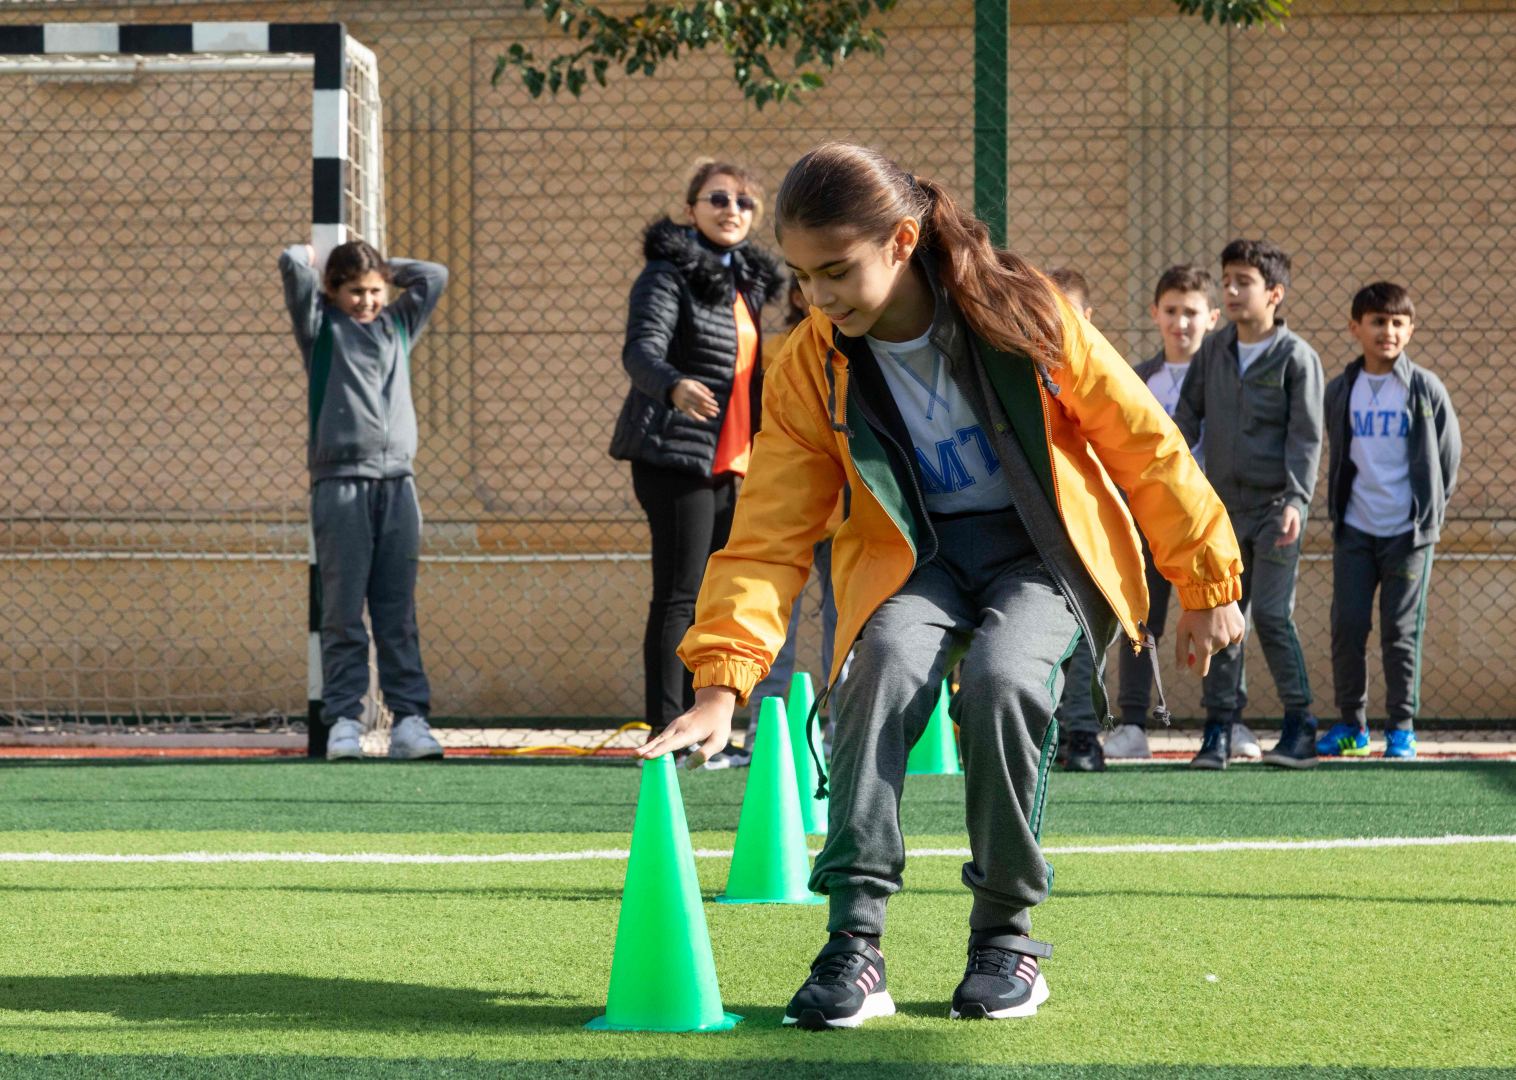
[[1329, 964]]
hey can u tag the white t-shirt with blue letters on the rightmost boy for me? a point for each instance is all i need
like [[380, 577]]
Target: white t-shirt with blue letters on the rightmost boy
[[1380, 503]]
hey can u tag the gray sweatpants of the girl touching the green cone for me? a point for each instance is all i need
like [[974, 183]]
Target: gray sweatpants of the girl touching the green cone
[[988, 600]]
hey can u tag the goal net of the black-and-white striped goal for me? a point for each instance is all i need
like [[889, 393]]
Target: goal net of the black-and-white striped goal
[[154, 506]]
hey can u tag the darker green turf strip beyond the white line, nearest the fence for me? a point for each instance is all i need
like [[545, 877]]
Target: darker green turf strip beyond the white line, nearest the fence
[[498, 797]]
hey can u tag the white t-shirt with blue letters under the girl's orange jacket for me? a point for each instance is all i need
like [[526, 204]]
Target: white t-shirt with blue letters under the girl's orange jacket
[[959, 468]]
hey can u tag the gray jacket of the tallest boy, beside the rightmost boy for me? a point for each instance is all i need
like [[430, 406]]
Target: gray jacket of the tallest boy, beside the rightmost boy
[[1264, 430]]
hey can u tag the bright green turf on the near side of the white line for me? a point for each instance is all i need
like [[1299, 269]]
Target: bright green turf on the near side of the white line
[[1371, 958]]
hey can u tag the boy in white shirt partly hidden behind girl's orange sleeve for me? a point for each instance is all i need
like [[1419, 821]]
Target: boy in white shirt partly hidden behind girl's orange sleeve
[[1185, 310]]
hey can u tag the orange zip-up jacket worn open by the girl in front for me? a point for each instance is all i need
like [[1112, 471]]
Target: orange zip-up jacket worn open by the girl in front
[[1103, 430]]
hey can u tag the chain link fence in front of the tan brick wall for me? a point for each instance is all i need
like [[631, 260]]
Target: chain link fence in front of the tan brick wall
[[152, 483]]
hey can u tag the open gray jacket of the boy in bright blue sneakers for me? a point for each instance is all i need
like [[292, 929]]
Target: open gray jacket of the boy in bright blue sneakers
[[1435, 447]]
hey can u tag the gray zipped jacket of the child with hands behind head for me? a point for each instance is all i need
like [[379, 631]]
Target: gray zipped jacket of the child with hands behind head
[[362, 419]]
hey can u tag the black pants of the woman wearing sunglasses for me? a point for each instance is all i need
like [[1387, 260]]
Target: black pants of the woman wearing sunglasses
[[691, 518]]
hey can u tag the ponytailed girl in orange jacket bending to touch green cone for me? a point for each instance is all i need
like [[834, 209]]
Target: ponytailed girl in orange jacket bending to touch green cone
[[983, 429]]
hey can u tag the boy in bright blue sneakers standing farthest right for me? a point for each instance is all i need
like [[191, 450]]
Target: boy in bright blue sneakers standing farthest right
[[1391, 471]]
